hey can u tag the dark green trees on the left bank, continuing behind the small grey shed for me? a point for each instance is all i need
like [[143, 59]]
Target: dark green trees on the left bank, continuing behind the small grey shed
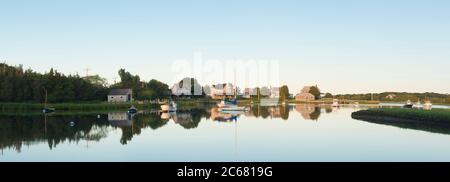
[[28, 86]]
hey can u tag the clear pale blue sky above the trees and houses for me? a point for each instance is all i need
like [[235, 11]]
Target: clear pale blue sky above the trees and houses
[[344, 46]]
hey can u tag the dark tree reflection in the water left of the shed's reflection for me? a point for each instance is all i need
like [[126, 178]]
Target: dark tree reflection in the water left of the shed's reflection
[[17, 131]]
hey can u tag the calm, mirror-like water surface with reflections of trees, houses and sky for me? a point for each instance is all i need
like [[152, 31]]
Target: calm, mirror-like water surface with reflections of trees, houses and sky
[[282, 133]]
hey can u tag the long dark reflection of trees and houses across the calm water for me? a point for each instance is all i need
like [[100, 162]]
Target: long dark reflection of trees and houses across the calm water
[[17, 131]]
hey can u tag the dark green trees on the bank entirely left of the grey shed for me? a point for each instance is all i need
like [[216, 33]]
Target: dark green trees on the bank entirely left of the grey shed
[[19, 85]]
